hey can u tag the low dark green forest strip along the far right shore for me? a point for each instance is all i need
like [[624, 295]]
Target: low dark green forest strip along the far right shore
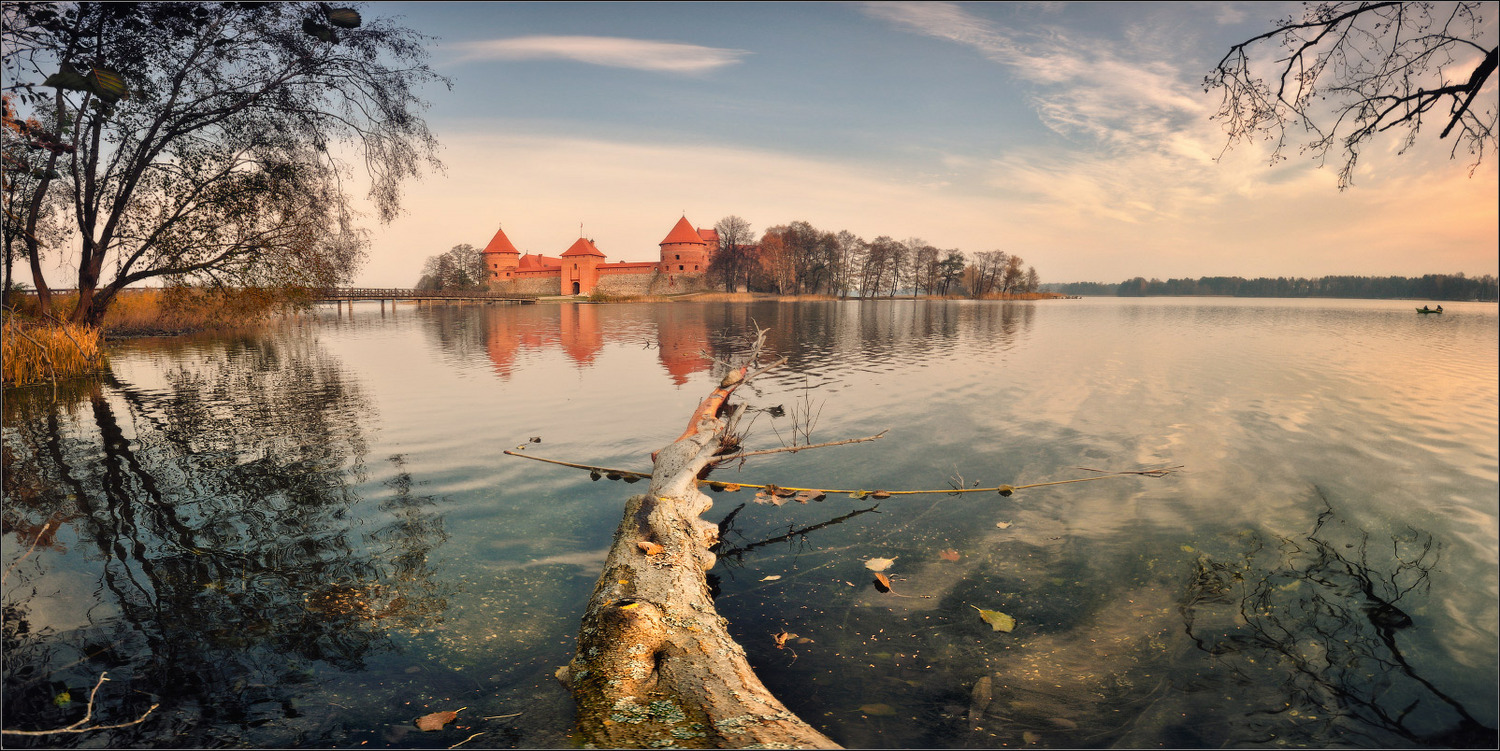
[[1430, 287]]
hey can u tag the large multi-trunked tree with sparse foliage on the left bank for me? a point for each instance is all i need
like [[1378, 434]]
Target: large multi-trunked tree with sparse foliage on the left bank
[[202, 142]]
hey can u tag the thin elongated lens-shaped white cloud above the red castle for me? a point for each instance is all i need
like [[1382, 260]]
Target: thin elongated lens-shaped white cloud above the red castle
[[641, 55]]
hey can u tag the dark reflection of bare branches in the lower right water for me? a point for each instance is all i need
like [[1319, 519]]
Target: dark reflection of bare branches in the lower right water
[[1324, 617]]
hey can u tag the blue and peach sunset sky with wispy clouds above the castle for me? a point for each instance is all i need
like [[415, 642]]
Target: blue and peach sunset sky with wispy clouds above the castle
[[1076, 136]]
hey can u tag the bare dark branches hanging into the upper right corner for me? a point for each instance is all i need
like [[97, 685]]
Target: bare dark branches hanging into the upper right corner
[[1352, 71]]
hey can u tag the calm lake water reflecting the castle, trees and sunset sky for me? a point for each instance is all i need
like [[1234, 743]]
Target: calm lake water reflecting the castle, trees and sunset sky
[[313, 537]]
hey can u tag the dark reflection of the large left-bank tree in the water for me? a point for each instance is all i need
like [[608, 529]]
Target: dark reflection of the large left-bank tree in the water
[[205, 548]]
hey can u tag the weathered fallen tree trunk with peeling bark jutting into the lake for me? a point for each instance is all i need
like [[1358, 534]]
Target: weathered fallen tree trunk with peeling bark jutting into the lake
[[656, 665]]
